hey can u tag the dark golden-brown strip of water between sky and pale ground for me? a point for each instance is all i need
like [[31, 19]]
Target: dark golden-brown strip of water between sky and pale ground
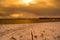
[[22, 21]]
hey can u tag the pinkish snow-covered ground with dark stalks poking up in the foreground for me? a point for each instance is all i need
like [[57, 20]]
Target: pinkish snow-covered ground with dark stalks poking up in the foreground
[[33, 31]]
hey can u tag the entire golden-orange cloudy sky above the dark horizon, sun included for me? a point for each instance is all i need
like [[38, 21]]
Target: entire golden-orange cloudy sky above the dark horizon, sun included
[[29, 9]]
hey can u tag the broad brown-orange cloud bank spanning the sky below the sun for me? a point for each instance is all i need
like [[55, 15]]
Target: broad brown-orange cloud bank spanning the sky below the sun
[[46, 8]]
